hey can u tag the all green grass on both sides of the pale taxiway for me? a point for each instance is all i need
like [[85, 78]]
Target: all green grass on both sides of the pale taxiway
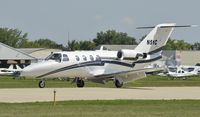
[[101, 108]]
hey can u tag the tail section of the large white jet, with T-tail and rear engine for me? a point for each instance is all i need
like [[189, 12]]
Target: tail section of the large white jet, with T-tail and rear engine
[[151, 46]]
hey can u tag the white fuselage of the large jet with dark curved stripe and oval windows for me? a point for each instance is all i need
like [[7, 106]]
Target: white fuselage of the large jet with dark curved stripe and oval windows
[[84, 64]]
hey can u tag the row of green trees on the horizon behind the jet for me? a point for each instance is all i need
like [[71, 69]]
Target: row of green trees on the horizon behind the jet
[[17, 39]]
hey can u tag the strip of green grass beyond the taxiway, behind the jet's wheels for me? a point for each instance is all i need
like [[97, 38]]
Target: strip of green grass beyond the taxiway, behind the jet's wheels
[[150, 81]]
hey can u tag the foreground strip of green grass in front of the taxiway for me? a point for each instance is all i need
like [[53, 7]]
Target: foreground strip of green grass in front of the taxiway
[[112, 108]]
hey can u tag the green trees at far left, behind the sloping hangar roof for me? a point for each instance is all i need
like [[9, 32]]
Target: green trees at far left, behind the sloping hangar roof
[[17, 39]]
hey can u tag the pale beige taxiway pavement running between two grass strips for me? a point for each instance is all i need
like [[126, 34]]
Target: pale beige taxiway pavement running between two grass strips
[[62, 94]]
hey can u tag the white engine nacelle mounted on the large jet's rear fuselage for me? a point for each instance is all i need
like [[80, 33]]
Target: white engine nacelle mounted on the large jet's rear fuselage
[[126, 54]]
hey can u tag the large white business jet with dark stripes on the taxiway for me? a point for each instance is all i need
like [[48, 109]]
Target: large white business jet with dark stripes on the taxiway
[[102, 65]]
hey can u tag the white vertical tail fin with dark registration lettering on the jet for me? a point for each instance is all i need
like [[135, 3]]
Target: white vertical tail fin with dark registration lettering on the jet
[[156, 39]]
